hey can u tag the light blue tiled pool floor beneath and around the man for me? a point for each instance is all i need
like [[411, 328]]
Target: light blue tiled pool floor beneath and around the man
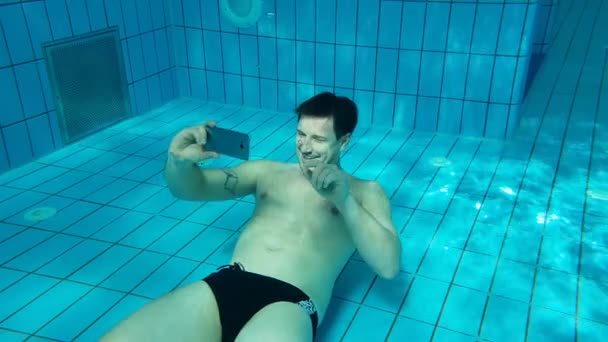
[[502, 241]]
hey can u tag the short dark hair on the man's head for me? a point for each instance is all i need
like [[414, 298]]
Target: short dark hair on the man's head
[[343, 110]]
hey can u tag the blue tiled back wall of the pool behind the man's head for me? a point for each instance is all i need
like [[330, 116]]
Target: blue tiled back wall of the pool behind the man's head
[[427, 65]]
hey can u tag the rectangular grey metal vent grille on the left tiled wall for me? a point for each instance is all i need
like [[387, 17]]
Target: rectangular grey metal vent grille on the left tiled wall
[[88, 78]]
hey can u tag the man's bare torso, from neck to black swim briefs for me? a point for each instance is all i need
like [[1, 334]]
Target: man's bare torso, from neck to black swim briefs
[[295, 235]]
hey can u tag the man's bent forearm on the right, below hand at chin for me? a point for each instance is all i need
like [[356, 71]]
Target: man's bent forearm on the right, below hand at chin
[[379, 246]]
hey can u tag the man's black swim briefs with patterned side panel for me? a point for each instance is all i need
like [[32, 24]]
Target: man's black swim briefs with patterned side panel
[[241, 294]]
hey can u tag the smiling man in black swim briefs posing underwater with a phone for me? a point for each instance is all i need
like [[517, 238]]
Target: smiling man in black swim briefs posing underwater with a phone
[[309, 219]]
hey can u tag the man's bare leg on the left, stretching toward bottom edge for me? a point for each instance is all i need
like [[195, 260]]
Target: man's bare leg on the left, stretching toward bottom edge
[[189, 313]]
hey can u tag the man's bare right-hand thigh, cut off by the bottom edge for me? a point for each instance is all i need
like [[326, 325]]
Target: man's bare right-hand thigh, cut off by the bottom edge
[[278, 322]]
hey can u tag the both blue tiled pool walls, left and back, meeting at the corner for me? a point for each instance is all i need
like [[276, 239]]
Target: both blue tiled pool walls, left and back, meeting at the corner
[[453, 67]]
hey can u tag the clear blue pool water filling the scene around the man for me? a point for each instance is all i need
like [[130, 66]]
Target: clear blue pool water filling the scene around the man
[[503, 240]]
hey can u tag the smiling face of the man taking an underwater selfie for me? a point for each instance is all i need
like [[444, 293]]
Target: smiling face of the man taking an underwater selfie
[[316, 143]]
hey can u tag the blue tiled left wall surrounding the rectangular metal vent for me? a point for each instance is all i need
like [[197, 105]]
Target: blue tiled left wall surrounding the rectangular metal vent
[[28, 121]]
